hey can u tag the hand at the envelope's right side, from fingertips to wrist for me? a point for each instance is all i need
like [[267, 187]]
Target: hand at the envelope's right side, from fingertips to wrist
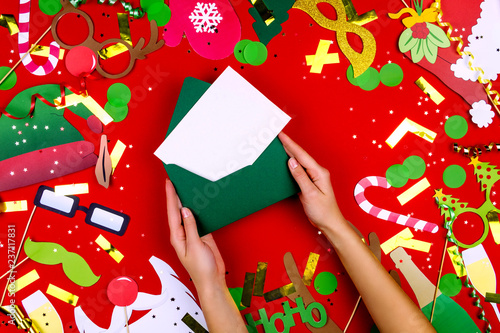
[[316, 195]]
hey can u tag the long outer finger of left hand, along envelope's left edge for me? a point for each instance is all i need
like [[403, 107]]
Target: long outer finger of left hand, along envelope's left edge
[[177, 234]]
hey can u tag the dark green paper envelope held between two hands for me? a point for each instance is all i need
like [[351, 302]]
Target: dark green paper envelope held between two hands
[[217, 204]]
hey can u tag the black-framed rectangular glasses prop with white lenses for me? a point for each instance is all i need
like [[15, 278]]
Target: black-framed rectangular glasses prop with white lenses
[[96, 215]]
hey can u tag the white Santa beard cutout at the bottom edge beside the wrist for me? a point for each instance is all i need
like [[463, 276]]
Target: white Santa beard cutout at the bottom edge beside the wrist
[[167, 309]]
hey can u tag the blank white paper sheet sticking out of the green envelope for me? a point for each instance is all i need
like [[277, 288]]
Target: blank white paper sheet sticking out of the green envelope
[[226, 130]]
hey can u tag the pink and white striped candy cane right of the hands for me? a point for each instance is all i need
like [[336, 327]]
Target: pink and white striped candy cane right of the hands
[[359, 195]]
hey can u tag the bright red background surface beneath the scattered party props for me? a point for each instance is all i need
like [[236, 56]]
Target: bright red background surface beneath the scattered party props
[[342, 126]]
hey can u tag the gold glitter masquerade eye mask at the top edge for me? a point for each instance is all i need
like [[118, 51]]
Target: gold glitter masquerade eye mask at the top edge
[[360, 61]]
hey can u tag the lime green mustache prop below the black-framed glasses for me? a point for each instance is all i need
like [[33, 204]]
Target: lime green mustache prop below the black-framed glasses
[[74, 266]]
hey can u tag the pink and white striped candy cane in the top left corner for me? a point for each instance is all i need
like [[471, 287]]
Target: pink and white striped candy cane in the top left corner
[[24, 43]]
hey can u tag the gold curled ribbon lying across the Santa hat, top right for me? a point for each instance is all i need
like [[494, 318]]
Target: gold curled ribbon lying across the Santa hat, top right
[[489, 91]]
